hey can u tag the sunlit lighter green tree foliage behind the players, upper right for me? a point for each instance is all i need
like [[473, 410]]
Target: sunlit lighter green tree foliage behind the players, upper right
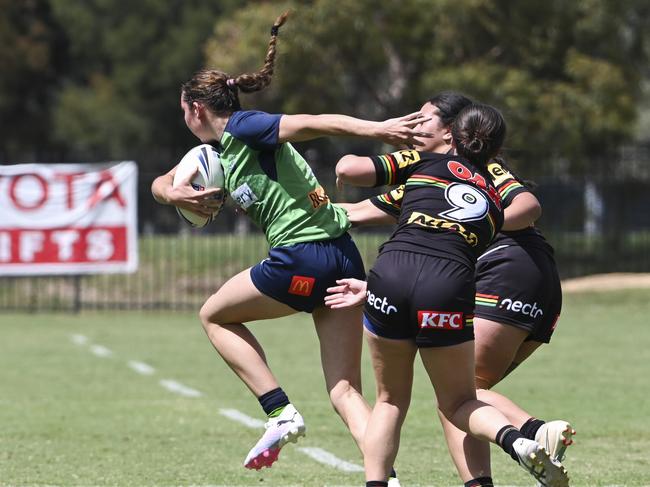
[[565, 74]]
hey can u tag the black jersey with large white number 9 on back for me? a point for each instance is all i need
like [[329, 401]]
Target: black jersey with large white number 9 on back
[[449, 208]]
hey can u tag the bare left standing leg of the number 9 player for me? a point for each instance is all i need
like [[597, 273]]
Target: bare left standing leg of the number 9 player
[[393, 365]]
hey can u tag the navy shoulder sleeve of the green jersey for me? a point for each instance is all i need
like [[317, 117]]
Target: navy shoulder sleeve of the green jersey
[[258, 130]]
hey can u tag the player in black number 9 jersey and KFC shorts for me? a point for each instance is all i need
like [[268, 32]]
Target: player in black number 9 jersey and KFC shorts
[[420, 292]]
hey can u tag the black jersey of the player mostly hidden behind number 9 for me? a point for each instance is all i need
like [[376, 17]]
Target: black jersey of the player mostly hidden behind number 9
[[507, 185]]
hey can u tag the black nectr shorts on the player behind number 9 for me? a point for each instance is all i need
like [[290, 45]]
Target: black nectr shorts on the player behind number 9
[[520, 287]]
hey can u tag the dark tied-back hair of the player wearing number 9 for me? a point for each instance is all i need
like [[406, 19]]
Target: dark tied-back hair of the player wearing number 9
[[478, 133]]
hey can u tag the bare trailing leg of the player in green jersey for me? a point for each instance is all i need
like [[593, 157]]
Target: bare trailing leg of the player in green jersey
[[340, 335]]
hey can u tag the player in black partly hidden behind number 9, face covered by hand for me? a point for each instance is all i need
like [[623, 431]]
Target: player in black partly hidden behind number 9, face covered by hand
[[517, 266]]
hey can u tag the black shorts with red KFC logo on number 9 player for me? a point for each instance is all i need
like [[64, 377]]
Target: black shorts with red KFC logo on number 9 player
[[420, 297]]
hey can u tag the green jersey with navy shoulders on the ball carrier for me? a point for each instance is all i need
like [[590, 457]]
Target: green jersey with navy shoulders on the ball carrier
[[273, 184]]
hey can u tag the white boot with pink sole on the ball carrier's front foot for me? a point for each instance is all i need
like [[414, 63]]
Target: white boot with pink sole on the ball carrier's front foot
[[285, 428]]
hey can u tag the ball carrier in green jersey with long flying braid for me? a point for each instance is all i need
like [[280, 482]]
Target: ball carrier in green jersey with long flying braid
[[310, 247]]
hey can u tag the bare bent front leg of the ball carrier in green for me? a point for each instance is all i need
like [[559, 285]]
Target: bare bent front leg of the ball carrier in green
[[222, 315]]
